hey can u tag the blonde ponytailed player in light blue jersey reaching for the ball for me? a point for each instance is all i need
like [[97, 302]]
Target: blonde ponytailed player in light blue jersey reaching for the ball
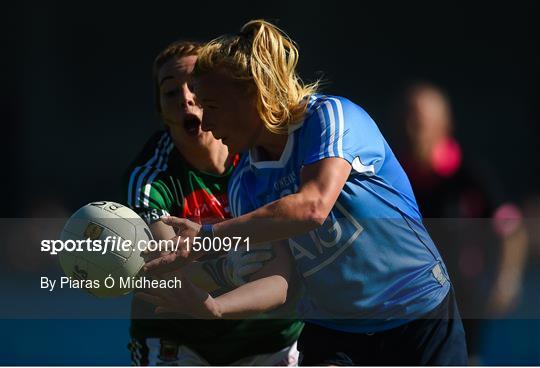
[[316, 169]]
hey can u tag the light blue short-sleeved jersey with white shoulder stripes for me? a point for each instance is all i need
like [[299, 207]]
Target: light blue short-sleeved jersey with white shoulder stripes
[[372, 265]]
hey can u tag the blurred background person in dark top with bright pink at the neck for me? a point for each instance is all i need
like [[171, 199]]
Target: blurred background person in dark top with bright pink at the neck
[[480, 235]]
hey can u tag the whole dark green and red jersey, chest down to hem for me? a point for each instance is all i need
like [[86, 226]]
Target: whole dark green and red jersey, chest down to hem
[[161, 182]]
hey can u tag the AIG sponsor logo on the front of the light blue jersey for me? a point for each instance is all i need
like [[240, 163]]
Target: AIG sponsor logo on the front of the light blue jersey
[[324, 245]]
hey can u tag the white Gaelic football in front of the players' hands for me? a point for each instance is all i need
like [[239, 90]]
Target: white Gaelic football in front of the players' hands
[[98, 221]]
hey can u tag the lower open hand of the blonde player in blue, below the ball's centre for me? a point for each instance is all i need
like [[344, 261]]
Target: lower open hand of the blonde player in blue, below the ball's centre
[[189, 300]]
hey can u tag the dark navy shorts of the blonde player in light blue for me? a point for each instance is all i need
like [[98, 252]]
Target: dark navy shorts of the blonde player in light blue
[[436, 339]]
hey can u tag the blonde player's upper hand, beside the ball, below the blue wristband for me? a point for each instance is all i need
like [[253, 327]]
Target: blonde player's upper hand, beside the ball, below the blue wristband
[[167, 261]]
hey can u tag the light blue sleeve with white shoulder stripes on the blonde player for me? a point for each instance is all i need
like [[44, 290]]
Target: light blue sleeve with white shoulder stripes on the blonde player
[[339, 128]]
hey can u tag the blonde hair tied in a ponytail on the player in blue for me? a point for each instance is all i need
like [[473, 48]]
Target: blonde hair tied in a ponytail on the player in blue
[[262, 54]]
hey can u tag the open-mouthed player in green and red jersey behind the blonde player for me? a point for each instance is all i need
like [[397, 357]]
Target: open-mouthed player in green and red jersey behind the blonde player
[[184, 171]]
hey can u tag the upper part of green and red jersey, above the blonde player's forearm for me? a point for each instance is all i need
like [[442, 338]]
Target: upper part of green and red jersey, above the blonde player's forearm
[[162, 182]]
